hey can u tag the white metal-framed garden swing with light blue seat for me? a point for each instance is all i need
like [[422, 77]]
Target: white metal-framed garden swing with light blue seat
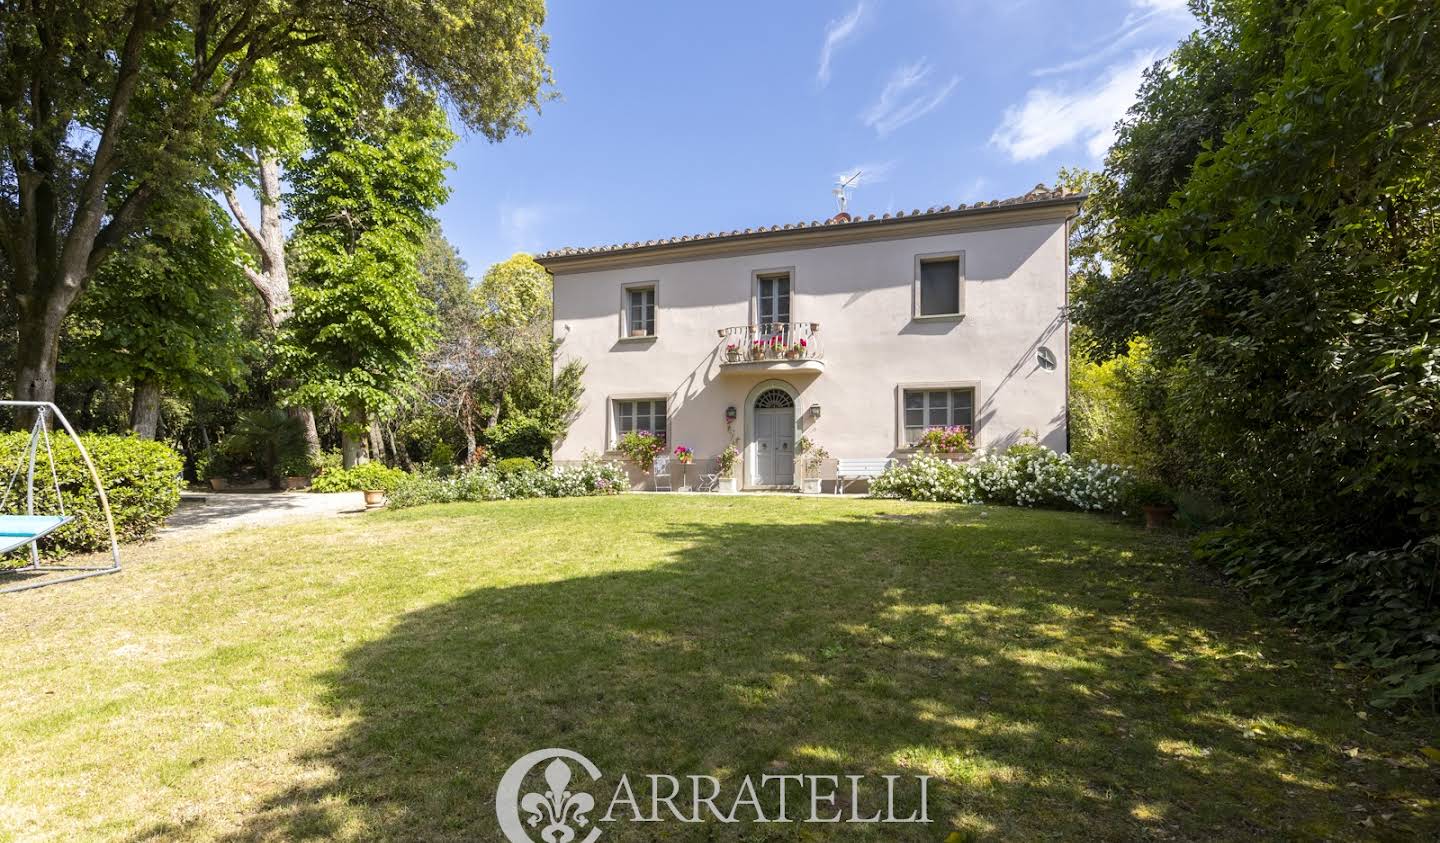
[[19, 531]]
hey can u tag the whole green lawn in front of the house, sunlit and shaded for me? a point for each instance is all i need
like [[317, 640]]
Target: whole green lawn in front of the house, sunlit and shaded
[[371, 678]]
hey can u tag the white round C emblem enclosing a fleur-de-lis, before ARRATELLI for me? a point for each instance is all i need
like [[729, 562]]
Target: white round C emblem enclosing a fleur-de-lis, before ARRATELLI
[[558, 815]]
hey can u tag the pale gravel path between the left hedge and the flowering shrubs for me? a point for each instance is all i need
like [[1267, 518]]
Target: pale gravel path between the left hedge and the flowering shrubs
[[228, 511]]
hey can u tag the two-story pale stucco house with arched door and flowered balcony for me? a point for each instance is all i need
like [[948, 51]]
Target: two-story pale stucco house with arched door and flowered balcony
[[859, 334]]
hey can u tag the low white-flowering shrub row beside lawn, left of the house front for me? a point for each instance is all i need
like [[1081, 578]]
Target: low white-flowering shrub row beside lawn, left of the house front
[[588, 479]]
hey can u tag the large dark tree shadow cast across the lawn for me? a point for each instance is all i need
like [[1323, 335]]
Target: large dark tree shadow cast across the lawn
[[1053, 685]]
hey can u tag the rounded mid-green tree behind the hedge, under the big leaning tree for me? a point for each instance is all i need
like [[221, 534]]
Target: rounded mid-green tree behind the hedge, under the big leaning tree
[[166, 315]]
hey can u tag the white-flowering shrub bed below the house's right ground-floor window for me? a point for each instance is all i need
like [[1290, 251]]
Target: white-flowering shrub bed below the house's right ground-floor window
[[1023, 476]]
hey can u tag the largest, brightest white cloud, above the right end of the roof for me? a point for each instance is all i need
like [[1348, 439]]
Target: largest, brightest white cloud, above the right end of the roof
[[1056, 117]]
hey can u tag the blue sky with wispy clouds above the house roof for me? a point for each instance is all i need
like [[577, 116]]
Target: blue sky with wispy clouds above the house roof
[[702, 117]]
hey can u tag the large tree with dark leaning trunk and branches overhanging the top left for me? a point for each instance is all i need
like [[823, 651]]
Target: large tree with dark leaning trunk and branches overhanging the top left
[[106, 106]]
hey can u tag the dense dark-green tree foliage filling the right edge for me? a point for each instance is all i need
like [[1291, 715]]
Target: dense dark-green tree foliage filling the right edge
[[1272, 201]]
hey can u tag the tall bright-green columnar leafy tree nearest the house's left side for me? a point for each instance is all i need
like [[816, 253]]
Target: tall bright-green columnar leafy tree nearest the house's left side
[[364, 197]]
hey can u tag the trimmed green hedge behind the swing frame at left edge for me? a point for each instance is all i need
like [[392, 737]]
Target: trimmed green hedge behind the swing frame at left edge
[[142, 482]]
